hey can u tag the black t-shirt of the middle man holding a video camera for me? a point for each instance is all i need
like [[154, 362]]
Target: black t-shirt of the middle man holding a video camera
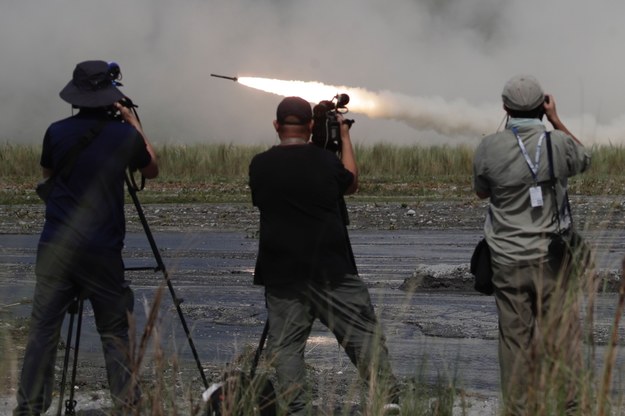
[[298, 190]]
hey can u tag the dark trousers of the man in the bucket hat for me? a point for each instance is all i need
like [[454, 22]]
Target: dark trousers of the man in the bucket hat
[[62, 276]]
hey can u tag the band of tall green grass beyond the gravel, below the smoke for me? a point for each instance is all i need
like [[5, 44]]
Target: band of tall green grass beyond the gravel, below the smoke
[[218, 172]]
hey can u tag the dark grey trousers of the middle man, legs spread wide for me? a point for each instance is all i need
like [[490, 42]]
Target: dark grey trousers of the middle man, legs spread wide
[[345, 307]]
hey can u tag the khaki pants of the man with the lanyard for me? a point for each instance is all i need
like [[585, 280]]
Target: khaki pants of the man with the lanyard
[[539, 334]]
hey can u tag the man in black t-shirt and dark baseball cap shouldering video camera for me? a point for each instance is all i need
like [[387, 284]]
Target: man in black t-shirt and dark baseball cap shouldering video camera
[[304, 257]]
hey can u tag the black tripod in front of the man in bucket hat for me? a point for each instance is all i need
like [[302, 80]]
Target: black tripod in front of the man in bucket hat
[[76, 307]]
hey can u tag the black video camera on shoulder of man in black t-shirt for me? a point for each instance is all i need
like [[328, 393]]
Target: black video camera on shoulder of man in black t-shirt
[[327, 128]]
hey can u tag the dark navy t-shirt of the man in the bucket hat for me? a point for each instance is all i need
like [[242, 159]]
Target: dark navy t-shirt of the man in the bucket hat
[[86, 210]]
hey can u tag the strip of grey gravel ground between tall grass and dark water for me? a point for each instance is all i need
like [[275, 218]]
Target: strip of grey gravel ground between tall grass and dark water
[[589, 212]]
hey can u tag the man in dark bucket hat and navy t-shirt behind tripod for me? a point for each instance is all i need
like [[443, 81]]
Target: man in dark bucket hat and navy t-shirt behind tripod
[[80, 248]]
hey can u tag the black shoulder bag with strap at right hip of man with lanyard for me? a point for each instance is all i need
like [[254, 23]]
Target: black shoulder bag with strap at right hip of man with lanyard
[[567, 248]]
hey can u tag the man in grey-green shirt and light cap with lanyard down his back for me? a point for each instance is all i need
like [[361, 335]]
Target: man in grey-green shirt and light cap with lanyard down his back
[[512, 168]]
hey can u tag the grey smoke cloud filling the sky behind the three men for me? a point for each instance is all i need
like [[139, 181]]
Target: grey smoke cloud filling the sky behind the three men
[[437, 66]]
